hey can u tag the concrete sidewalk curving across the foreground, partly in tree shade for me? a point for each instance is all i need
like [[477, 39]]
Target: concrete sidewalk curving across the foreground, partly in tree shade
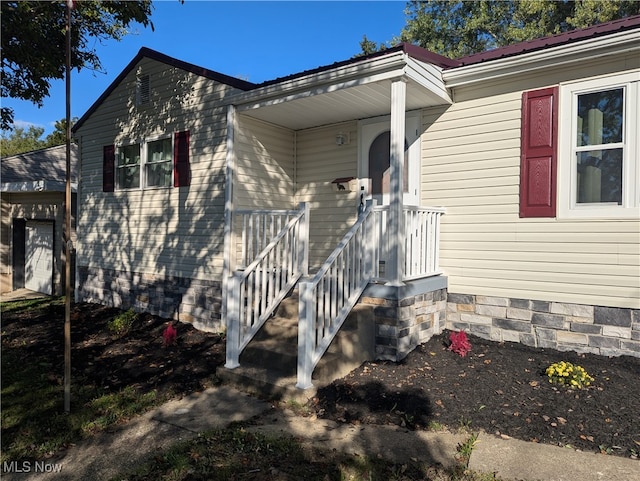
[[122, 449]]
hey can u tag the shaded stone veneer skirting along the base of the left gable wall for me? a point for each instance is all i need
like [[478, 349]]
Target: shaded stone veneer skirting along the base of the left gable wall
[[195, 301]]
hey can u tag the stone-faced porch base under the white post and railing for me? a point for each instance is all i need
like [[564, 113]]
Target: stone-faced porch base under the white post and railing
[[406, 316]]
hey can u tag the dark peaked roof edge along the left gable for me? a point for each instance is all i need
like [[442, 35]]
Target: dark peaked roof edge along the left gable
[[174, 62]]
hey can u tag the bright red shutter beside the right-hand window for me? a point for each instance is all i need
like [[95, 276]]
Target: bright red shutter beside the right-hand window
[[539, 140]]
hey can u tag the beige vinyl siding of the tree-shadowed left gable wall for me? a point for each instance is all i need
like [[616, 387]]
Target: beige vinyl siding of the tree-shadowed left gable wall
[[163, 231]]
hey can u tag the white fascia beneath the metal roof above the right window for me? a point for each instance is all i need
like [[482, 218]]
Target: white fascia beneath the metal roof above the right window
[[622, 42]]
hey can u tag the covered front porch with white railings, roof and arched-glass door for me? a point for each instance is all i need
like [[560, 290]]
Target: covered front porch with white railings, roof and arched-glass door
[[297, 217]]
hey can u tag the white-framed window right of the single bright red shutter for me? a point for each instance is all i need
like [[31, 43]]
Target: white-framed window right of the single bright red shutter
[[599, 156]]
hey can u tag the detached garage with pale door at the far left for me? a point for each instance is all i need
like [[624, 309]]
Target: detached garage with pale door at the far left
[[32, 194]]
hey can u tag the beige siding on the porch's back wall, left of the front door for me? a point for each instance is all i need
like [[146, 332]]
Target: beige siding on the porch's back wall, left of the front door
[[320, 161]]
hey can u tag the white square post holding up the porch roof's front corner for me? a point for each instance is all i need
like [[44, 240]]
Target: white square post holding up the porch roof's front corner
[[396, 156]]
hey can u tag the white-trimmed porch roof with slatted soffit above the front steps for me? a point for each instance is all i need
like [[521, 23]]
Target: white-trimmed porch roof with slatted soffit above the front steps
[[355, 89]]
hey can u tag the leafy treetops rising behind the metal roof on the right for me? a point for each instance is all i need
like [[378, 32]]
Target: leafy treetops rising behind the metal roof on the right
[[458, 28]]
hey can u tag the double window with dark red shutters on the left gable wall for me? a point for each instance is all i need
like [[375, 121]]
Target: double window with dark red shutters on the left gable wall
[[153, 163]]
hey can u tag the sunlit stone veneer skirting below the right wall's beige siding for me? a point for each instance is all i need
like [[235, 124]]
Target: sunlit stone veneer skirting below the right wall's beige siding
[[608, 331]]
